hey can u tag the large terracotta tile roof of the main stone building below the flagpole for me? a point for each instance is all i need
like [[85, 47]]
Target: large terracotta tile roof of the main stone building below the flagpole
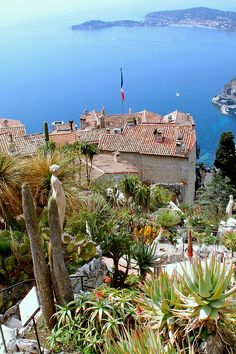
[[141, 139]]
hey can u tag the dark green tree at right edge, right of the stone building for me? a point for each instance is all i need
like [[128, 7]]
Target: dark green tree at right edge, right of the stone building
[[226, 157]]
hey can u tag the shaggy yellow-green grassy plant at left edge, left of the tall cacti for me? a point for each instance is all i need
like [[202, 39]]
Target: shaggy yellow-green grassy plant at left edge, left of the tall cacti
[[11, 177]]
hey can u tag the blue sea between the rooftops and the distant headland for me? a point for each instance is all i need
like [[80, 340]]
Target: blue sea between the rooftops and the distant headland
[[49, 72]]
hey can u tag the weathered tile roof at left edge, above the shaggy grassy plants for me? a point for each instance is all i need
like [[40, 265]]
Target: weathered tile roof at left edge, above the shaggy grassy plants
[[25, 145]]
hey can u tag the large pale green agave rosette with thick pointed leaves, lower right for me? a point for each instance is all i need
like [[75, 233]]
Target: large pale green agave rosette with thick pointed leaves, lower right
[[206, 283]]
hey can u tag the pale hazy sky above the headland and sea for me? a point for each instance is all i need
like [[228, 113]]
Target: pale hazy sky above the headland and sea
[[20, 11]]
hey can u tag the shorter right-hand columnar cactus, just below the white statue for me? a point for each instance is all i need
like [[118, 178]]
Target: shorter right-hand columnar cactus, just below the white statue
[[60, 276]]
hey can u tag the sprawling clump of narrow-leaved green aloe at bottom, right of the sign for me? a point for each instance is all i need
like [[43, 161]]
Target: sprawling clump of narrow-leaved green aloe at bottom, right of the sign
[[83, 325]]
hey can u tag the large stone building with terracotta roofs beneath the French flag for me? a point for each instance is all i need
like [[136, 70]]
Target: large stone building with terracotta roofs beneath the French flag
[[163, 148]]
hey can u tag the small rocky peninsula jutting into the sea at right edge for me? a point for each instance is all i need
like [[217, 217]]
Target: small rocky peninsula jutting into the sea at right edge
[[226, 100]]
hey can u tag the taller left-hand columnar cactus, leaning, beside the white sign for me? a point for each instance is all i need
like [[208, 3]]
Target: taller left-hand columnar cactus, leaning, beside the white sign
[[41, 271]]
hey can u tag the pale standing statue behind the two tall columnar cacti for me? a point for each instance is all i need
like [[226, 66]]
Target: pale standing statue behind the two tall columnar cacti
[[58, 193]]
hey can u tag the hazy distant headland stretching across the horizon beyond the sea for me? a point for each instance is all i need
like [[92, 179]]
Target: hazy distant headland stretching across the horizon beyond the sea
[[194, 17]]
